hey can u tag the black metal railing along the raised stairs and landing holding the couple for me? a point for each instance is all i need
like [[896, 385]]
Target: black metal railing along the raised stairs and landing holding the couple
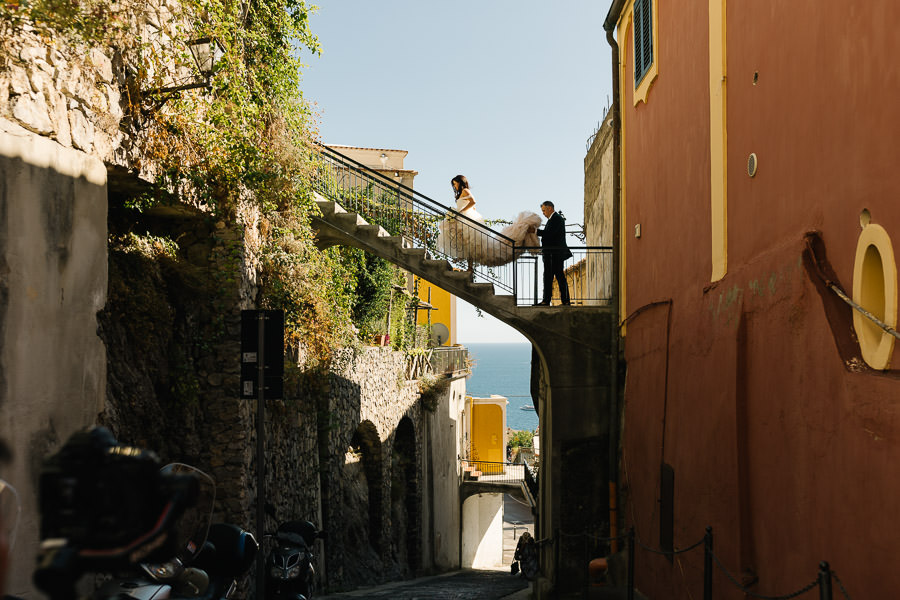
[[445, 233]]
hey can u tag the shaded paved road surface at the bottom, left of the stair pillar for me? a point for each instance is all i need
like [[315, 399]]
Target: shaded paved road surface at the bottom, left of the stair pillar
[[459, 585]]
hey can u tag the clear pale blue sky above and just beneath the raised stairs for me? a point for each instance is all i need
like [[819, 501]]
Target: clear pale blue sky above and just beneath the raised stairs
[[505, 92]]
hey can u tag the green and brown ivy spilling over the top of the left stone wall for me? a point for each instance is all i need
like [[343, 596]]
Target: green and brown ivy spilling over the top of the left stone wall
[[240, 150]]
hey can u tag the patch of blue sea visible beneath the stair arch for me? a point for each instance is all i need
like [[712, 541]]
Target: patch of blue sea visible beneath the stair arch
[[505, 370]]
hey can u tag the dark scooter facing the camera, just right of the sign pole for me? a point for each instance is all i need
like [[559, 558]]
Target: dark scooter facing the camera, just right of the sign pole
[[290, 574]]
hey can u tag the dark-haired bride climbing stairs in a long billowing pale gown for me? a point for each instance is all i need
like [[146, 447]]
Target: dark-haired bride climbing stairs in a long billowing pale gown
[[474, 241]]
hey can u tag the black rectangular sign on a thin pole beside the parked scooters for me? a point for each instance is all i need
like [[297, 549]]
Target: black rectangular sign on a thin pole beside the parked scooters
[[262, 374]]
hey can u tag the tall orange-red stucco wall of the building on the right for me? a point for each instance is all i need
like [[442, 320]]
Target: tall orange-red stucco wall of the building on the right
[[780, 438]]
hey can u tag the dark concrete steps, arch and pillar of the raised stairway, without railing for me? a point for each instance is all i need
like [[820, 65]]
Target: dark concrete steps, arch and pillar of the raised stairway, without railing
[[578, 399]]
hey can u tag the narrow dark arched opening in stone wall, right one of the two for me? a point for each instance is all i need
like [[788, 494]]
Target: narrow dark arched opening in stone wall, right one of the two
[[405, 514]]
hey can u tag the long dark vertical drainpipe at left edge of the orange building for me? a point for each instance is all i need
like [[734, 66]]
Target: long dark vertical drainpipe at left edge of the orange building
[[614, 420]]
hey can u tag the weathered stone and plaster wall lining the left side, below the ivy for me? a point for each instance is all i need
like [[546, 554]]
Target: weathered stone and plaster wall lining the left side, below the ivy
[[152, 352]]
